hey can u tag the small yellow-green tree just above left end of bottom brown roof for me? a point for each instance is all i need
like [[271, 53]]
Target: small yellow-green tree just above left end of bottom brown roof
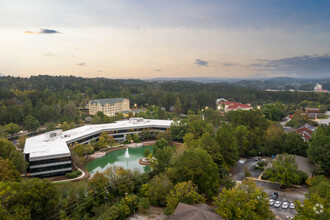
[[185, 192]]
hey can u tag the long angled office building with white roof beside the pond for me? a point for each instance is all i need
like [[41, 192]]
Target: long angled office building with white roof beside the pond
[[49, 155]]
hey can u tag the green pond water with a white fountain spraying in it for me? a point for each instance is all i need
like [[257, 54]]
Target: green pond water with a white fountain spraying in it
[[118, 158]]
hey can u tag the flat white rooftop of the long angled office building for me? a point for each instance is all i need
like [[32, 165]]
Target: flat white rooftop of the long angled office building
[[44, 147]]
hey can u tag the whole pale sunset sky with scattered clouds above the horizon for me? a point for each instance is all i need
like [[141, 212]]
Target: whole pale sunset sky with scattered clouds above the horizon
[[170, 38]]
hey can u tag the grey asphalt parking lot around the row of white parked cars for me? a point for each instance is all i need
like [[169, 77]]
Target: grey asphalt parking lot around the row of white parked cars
[[289, 195]]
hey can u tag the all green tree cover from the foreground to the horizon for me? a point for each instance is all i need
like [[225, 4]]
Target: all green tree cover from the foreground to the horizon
[[192, 172]]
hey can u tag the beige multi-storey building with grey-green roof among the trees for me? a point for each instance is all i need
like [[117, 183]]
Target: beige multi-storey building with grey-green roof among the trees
[[109, 107]]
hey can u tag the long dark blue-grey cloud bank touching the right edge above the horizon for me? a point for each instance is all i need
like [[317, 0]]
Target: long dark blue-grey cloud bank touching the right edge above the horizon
[[306, 66]]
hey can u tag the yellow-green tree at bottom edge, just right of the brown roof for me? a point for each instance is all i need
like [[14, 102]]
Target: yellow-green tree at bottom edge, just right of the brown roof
[[247, 201]]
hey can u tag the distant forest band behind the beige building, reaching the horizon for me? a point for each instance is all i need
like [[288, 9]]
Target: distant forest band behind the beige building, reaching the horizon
[[57, 99]]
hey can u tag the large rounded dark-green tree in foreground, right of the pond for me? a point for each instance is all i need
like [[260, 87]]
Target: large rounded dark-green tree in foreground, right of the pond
[[198, 166]]
